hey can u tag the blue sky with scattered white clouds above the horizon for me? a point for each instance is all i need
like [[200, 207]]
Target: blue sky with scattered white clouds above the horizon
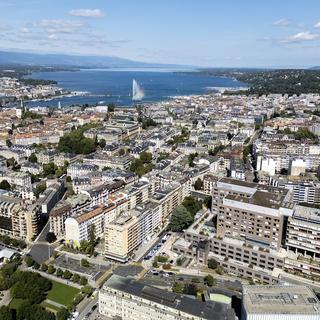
[[208, 33]]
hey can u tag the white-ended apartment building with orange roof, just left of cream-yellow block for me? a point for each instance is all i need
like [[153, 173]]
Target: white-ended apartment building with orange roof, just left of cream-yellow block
[[77, 228]]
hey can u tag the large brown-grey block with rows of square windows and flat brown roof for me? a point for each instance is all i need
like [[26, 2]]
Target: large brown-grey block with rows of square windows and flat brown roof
[[250, 211]]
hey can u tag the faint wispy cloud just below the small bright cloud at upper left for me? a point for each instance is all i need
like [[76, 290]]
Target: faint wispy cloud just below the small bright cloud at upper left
[[58, 26]]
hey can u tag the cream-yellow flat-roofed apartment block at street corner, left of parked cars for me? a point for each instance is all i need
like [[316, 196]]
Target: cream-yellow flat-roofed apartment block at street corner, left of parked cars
[[131, 229]]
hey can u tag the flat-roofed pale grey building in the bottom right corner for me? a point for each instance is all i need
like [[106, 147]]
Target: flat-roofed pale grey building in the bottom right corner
[[279, 302]]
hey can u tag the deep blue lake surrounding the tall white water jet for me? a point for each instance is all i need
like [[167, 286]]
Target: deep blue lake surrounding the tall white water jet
[[115, 85]]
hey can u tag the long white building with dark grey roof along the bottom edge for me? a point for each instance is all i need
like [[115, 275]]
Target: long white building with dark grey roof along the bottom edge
[[124, 298]]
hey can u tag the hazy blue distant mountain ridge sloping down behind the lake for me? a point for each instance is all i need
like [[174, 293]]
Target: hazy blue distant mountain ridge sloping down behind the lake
[[33, 59]]
